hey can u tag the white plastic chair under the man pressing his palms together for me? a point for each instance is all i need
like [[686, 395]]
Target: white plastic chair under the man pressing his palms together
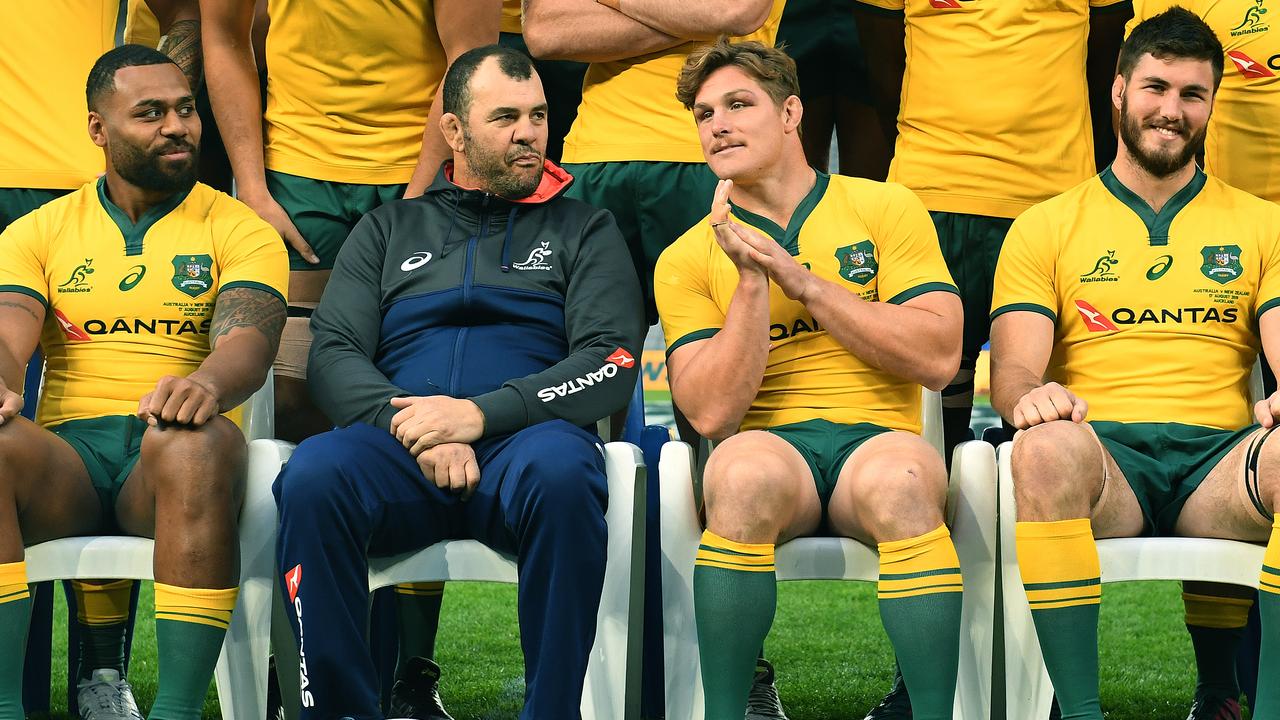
[[971, 516]]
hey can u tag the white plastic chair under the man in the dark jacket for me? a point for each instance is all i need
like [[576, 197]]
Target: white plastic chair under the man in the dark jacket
[[612, 690]]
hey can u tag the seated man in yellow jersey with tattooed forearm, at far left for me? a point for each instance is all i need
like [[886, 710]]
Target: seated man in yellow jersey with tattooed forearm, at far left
[[159, 306]]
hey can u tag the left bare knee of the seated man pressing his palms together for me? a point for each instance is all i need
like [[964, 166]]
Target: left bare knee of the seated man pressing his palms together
[[748, 484]]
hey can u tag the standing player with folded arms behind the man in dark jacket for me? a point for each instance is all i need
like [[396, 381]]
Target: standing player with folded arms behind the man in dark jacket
[[633, 149]]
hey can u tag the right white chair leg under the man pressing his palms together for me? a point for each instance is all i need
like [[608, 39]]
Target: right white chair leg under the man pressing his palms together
[[972, 514]]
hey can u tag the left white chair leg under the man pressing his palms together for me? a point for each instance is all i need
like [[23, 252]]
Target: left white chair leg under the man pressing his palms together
[[682, 534]]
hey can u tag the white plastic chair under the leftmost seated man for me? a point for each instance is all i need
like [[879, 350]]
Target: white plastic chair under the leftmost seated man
[[241, 672]]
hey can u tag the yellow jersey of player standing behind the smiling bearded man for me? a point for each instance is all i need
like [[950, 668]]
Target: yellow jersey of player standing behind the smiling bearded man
[[1241, 147]]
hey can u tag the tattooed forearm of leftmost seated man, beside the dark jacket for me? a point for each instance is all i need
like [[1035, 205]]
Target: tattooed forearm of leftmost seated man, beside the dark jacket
[[244, 339]]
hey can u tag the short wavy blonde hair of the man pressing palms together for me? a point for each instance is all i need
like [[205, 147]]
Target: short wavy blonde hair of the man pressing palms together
[[771, 67]]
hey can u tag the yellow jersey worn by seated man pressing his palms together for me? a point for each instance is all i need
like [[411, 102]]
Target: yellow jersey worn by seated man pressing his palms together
[[874, 239]]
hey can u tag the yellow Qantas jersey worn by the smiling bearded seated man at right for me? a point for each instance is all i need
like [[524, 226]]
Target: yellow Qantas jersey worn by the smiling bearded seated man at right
[[1155, 313]]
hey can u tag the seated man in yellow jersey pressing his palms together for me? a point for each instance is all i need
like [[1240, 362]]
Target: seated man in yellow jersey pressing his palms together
[[802, 318]]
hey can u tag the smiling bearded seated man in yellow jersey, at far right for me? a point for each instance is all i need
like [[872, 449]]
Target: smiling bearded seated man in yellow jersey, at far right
[[1150, 291]]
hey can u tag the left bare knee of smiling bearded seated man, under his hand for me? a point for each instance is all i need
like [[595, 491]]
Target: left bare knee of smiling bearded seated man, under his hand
[[1058, 463]]
